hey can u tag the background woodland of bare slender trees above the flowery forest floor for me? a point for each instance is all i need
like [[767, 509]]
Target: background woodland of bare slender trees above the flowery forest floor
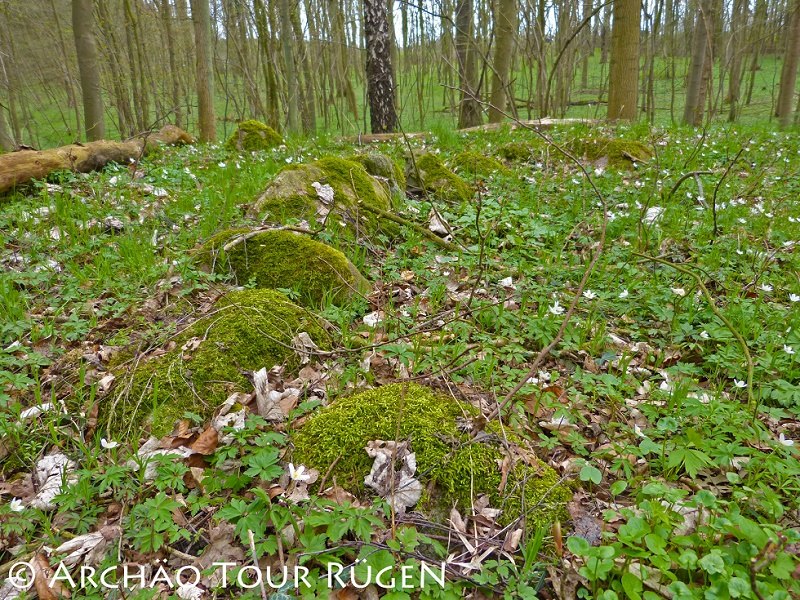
[[85, 69]]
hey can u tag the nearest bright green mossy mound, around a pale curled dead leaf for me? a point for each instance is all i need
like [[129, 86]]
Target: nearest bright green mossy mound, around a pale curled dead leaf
[[459, 468]]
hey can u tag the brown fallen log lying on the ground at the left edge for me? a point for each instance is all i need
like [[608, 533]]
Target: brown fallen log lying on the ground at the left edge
[[17, 168]]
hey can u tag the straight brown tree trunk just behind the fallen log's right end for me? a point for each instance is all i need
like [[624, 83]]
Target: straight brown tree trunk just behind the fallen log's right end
[[201, 17]]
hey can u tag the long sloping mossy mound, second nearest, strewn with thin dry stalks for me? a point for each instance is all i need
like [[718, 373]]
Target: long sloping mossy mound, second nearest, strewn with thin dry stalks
[[248, 330]]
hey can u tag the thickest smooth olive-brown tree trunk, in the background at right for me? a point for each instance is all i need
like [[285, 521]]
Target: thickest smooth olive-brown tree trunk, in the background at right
[[623, 86]]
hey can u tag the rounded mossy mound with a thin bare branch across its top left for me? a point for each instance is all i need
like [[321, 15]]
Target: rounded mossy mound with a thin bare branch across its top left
[[285, 259]]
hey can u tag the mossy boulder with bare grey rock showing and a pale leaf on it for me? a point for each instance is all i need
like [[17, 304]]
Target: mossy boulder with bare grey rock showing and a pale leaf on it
[[292, 195]]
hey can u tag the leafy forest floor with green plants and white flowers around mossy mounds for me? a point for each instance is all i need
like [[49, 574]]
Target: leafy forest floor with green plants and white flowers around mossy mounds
[[669, 406]]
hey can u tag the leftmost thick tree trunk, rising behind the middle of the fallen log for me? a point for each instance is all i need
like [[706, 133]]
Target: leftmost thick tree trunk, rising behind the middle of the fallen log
[[83, 29]]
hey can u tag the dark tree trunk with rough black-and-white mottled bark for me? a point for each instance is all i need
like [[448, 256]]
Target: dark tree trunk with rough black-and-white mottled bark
[[380, 82]]
